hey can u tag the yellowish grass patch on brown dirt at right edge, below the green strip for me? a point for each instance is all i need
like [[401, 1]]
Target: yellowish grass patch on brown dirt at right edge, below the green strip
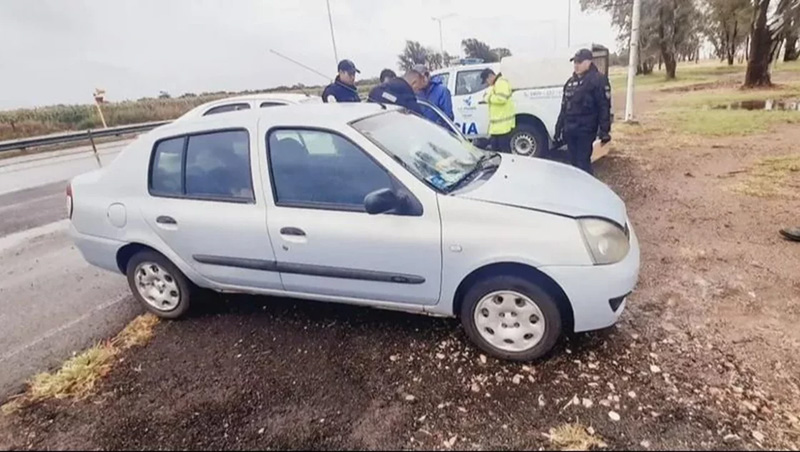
[[772, 177]]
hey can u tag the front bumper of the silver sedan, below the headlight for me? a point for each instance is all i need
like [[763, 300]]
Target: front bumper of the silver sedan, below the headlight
[[593, 290]]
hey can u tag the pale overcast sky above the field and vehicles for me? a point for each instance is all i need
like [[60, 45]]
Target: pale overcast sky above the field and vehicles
[[58, 51]]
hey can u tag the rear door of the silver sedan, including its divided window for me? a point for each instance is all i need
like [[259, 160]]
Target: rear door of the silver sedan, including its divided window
[[206, 206]]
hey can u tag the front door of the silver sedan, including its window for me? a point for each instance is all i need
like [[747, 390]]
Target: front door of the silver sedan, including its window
[[325, 241]]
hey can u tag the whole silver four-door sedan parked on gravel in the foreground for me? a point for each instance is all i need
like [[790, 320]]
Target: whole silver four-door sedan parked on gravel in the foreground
[[363, 204]]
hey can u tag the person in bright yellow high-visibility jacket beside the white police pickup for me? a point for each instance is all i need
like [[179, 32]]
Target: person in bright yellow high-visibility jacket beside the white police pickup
[[501, 110]]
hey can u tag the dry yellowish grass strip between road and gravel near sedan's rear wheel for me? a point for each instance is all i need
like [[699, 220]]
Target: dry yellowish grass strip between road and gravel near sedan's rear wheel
[[78, 376]]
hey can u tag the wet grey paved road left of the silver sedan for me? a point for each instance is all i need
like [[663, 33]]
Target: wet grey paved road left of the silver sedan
[[51, 302]]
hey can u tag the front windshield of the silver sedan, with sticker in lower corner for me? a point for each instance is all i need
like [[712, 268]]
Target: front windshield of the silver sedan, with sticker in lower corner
[[433, 154]]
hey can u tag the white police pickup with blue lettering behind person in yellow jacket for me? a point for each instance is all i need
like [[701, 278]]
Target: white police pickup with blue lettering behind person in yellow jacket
[[538, 84]]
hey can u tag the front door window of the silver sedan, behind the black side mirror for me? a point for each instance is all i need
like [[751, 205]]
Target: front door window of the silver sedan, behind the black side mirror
[[314, 168]]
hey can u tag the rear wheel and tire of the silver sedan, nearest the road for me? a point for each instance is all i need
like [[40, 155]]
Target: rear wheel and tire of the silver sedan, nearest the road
[[159, 286]]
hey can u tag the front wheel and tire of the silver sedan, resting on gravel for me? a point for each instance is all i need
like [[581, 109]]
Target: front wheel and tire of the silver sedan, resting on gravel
[[491, 297]]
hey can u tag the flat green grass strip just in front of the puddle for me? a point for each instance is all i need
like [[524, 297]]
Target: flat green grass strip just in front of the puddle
[[717, 123]]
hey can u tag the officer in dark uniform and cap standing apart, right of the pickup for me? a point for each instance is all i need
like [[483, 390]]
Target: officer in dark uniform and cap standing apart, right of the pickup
[[585, 111]]
